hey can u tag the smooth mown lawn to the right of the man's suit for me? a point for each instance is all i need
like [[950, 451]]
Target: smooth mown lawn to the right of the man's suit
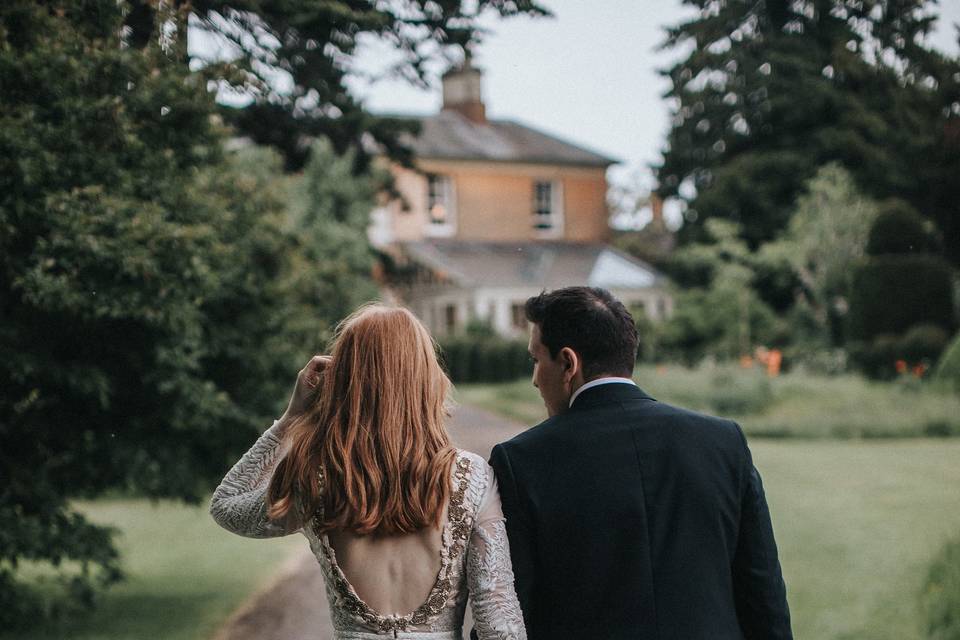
[[858, 523]]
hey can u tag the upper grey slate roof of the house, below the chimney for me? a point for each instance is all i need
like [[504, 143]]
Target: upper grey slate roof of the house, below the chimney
[[448, 135]]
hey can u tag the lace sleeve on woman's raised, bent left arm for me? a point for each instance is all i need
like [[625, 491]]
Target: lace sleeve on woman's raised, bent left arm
[[238, 504]]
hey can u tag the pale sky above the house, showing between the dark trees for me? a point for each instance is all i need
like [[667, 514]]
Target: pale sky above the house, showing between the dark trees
[[588, 75]]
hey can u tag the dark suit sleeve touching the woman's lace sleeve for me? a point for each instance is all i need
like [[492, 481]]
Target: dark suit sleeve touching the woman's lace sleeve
[[520, 533]]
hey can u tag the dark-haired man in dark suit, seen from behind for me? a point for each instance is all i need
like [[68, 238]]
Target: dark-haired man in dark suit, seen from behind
[[627, 517]]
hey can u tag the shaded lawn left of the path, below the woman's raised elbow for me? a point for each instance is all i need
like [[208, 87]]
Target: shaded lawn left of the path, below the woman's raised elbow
[[185, 574]]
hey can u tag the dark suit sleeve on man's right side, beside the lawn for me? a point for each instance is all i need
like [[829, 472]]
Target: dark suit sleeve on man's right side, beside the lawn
[[759, 590]]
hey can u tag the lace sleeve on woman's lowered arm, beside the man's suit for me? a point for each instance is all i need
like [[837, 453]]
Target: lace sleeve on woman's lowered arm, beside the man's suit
[[496, 611]]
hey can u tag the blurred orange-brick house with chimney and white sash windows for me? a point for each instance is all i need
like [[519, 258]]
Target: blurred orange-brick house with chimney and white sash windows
[[495, 212]]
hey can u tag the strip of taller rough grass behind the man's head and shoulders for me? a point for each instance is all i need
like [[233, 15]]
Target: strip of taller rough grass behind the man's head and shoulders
[[792, 405]]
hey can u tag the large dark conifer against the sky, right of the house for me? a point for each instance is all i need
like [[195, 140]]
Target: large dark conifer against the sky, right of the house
[[774, 89]]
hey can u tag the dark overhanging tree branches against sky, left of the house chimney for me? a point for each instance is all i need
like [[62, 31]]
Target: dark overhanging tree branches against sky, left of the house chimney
[[312, 43]]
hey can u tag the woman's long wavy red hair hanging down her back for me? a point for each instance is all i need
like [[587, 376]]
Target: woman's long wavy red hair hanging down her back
[[376, 432]]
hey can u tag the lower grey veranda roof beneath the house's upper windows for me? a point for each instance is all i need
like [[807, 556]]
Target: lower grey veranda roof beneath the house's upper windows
[[545, 265]]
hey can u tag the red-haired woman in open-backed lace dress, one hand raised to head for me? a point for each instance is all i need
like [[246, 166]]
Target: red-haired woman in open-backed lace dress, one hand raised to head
[[403, 525]]
